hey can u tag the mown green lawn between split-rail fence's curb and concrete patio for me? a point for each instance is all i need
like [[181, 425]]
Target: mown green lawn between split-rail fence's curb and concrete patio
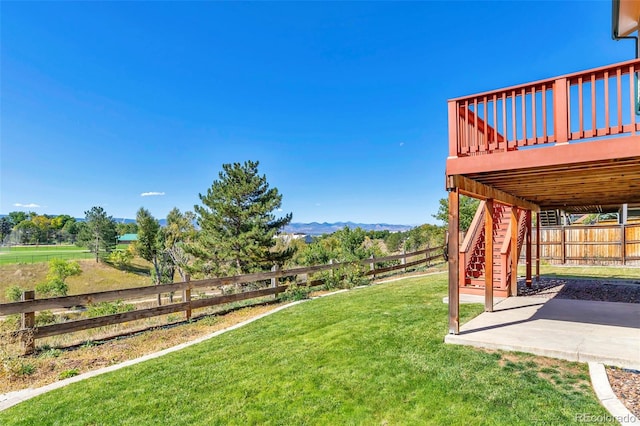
[[365, 357]]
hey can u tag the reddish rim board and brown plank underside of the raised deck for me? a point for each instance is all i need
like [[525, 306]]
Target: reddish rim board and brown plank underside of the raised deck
[[595, 176]]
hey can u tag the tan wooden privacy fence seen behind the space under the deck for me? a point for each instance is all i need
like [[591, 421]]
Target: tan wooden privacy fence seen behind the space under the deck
[[590, 245]]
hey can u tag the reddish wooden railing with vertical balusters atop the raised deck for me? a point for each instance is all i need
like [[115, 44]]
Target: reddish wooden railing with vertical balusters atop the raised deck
[[586, 105]]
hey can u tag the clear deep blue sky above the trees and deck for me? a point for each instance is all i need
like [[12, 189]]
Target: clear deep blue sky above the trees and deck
[[343, 104]]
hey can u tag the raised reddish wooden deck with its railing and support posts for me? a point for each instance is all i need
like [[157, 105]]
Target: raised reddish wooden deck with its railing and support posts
[[570, 142]]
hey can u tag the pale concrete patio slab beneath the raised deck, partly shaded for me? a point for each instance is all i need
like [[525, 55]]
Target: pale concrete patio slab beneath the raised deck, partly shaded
[[575, 330]]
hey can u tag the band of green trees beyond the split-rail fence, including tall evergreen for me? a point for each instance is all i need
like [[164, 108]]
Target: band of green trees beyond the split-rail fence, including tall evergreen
[[232, 231]]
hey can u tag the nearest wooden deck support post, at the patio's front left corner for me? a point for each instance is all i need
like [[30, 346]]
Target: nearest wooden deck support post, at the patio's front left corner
[[453, 250]]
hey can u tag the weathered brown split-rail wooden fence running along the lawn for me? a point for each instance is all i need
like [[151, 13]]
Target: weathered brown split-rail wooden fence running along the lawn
[[28, 307]]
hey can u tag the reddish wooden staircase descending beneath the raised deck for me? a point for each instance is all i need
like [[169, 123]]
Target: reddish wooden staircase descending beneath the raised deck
[[473, 253]]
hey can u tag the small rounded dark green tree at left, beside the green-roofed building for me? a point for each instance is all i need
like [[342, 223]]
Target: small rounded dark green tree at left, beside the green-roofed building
[[98, 233]]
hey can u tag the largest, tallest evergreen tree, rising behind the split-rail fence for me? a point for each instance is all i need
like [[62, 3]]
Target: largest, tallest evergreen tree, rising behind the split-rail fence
[[238, 223]]
